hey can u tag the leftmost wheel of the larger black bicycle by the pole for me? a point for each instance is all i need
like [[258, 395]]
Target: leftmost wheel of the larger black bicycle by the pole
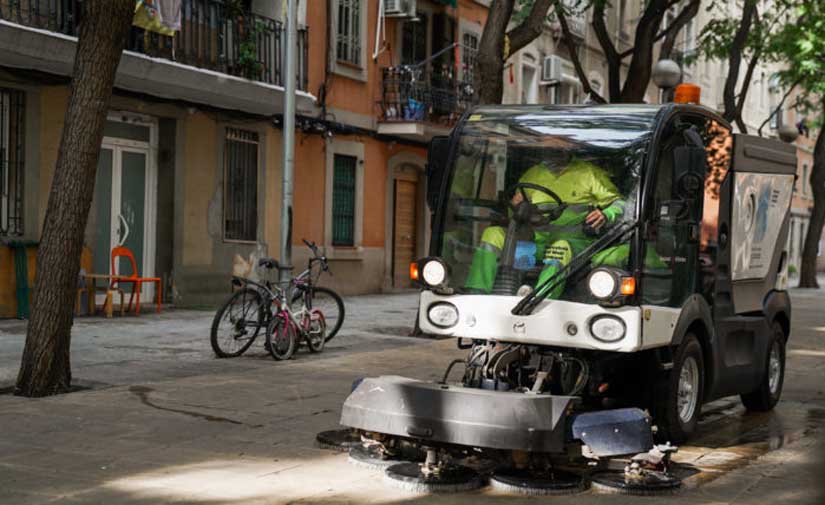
[[237, 323]]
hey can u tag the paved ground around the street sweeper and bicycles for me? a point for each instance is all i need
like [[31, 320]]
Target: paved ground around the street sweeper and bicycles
[[166, 423]]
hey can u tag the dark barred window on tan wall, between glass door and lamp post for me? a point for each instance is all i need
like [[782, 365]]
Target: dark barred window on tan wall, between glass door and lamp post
[[241, 185]]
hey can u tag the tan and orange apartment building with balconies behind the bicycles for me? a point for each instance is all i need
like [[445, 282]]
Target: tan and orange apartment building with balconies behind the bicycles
[[190, 166]]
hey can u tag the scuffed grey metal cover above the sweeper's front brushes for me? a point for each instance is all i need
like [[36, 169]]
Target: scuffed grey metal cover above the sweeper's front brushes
[[457, 415]]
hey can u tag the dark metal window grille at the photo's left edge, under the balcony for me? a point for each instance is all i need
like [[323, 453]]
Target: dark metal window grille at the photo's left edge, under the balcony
[[12, 167]]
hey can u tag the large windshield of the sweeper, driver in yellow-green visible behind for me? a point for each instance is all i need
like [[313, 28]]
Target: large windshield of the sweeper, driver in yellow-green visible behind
[[531, 188]]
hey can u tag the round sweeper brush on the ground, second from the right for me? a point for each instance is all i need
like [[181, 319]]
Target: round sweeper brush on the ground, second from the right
[[533, 483]]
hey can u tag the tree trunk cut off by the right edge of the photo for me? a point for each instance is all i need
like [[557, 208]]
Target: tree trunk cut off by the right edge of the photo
[[807, 273]]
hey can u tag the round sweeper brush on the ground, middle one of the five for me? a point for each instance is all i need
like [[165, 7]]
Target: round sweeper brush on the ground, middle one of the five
[[451, 479]]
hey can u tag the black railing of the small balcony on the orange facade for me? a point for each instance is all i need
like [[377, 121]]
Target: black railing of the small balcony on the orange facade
[[417, 94]]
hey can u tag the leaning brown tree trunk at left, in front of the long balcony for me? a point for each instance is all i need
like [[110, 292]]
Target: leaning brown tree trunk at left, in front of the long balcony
[[45, 366]]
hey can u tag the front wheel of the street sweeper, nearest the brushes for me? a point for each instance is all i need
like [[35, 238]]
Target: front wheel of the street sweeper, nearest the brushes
[[678, 399]]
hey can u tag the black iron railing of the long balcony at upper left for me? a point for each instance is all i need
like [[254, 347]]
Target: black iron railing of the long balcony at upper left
[[214, 35]]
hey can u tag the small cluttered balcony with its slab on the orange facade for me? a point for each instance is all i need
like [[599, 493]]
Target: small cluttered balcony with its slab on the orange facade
[[418, 104]]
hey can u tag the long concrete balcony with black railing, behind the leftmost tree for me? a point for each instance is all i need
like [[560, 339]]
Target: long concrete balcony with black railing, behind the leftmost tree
[[216, 40]]
